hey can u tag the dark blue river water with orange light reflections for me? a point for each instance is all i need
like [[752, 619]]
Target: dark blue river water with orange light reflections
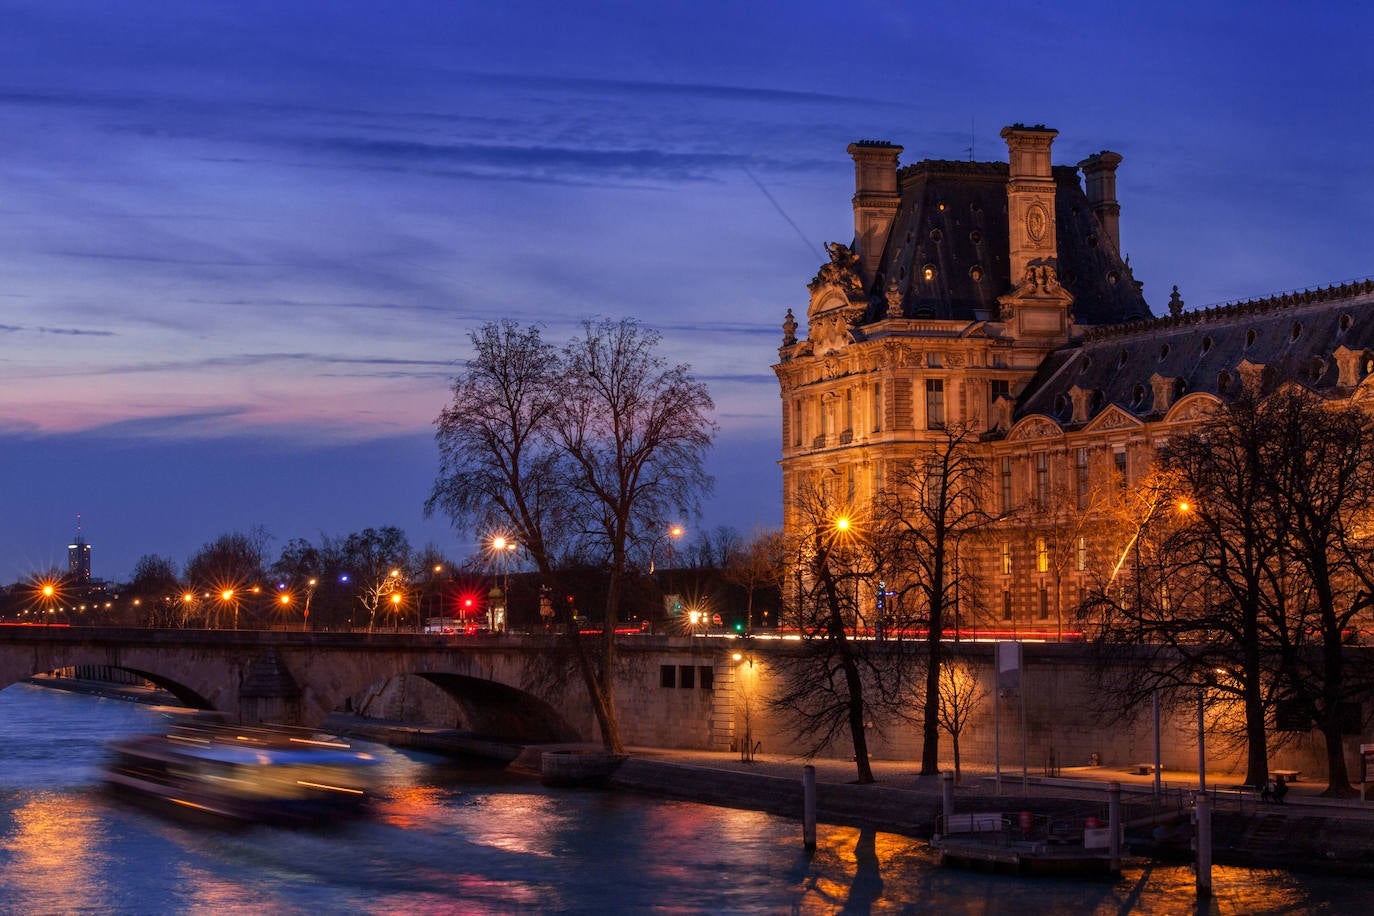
[[447, 841]]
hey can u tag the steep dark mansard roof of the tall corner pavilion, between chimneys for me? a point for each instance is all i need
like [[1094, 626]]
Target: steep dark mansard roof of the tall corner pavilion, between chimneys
[[953, 219]]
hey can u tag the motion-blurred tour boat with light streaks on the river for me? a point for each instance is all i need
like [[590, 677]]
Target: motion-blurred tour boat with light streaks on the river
[[244, 775]]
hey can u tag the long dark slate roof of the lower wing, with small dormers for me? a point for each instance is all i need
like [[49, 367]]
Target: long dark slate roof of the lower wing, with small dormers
[[1145, 367]]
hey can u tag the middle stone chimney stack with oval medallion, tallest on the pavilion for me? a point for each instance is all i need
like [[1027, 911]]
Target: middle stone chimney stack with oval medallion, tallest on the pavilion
[[1031, 198]]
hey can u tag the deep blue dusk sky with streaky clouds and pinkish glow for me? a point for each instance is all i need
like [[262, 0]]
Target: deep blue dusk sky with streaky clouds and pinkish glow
[[243, 244]]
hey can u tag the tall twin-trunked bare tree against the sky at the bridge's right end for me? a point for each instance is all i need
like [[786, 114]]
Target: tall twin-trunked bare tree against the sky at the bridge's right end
[[574, 454]]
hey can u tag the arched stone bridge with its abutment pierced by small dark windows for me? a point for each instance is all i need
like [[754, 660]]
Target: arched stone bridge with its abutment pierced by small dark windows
[[504, 686]]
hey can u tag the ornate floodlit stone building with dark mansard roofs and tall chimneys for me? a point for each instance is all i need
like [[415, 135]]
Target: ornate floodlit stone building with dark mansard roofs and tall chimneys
[[994, 296]]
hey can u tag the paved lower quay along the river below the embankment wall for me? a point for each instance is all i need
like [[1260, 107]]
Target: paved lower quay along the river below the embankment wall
[[1306, 833]]
